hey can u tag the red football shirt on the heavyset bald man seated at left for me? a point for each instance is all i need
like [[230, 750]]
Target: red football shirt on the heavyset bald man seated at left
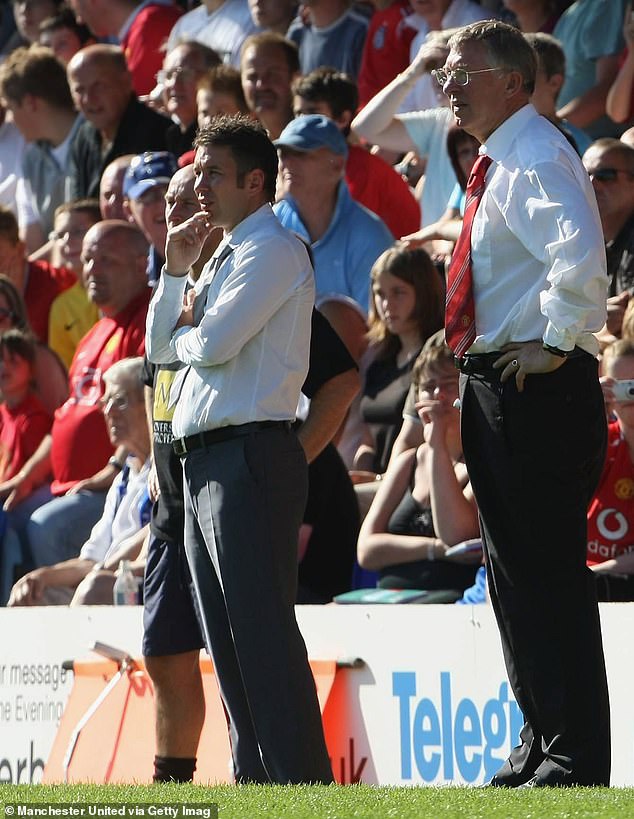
[[80, 445]]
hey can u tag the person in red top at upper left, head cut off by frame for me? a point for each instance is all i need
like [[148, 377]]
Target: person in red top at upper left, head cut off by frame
[[142, 30]]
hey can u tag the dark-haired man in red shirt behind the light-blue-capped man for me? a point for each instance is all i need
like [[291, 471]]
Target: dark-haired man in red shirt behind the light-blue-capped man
[[372, 182]]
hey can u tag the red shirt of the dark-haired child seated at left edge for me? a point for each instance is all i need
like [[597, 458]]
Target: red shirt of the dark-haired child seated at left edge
[[22, 429]]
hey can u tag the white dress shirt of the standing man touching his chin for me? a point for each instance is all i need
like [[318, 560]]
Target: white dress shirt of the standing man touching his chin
[[248, 357]]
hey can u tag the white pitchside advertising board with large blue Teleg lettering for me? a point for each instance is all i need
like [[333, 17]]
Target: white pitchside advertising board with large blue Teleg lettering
[[430, 704]]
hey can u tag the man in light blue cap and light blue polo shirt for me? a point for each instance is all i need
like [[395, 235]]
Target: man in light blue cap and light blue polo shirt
[[345, 237]]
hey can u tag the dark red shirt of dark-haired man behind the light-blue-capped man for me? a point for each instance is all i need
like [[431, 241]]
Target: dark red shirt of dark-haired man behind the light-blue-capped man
[[378, 187]]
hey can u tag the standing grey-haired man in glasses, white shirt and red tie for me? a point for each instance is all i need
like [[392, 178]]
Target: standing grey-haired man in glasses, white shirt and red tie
[[533, 418]]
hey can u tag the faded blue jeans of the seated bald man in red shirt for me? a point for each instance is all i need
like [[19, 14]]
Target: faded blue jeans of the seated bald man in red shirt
[[58, 529]]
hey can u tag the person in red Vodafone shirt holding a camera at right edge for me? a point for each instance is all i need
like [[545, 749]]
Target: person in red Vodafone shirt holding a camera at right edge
[[611, 512]]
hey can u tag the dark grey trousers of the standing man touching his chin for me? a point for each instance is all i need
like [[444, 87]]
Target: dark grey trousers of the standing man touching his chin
[[244, 501]]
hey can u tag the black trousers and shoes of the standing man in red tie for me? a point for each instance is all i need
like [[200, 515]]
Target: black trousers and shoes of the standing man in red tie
[[534, 459]]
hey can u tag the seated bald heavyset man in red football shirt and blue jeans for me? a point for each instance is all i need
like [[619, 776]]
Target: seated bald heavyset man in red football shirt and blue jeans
[[77, 451]]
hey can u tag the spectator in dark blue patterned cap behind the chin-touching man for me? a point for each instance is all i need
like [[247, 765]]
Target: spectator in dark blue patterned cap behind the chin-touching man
[[144, 188]]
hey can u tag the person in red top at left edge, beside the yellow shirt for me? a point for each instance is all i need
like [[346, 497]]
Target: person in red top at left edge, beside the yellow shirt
[[38, 282]]
